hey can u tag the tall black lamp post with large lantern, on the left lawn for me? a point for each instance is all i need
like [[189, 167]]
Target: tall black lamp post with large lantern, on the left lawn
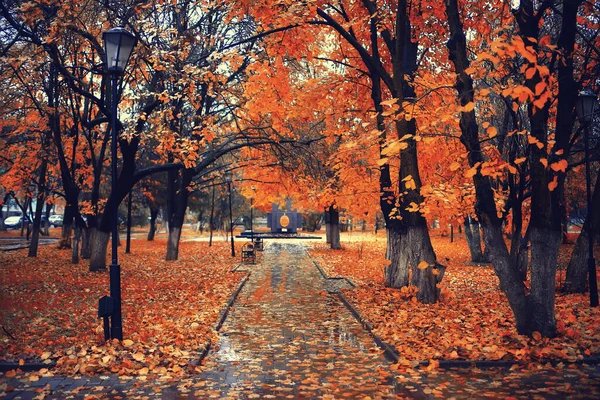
[[118, 44]]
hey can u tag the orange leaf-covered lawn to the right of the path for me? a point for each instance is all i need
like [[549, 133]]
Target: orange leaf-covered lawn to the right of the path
[[473, 321]]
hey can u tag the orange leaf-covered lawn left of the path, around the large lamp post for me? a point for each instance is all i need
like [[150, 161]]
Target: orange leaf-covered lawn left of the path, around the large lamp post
[[169, 308]]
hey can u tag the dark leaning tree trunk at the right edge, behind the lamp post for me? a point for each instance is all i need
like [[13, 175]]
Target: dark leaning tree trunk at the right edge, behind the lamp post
[[576, 280]]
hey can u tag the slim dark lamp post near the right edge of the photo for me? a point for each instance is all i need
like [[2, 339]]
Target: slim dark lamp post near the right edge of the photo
[[585, 107]]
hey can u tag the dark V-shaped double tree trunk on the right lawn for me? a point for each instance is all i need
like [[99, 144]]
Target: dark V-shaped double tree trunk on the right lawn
[[533, 312]]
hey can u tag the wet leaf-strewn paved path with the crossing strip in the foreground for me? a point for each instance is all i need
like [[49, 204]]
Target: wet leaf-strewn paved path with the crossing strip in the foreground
[[288, 336]]
